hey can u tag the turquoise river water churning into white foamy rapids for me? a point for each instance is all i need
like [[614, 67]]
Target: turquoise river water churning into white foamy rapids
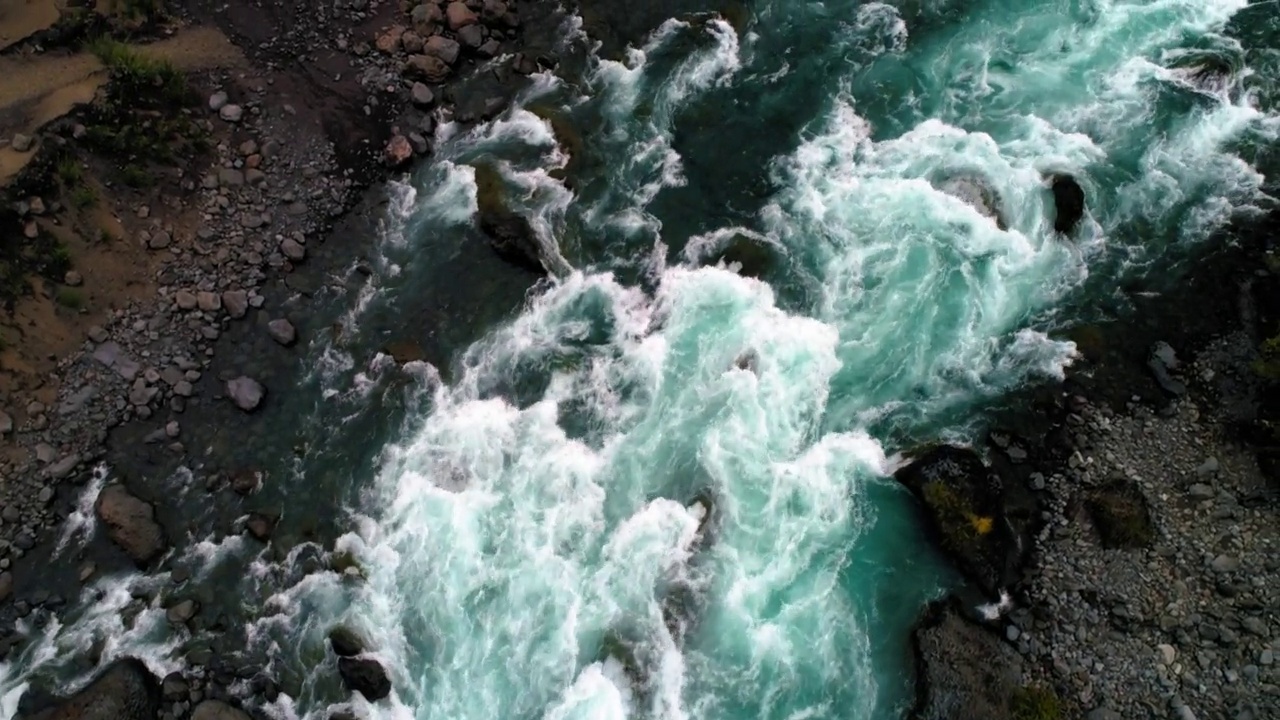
[[533, 531]]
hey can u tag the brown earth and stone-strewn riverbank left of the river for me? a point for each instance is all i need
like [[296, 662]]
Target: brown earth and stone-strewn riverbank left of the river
[[226, 245]]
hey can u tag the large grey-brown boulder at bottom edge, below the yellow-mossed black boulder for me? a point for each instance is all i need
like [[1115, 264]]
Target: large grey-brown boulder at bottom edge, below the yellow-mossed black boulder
[[963, 671]]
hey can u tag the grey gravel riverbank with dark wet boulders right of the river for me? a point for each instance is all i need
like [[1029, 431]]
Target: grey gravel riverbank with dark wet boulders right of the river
[[1141, 580]]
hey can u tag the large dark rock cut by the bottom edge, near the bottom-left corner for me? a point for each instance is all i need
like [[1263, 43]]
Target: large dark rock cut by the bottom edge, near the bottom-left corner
[[126, 691]]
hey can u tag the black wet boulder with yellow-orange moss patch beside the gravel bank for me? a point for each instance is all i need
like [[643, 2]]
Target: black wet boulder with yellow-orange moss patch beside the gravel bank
[[964, 503]]
